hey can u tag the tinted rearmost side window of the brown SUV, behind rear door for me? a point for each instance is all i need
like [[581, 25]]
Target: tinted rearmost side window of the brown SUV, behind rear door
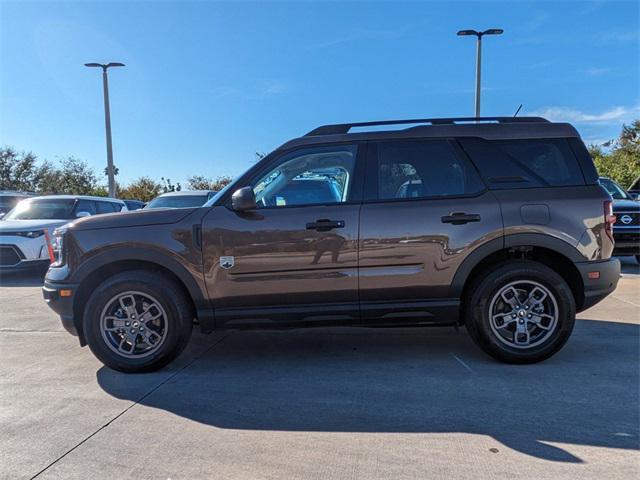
[[525, 163]]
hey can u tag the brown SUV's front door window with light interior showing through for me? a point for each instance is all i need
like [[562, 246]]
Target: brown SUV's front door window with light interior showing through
[[321, 175]]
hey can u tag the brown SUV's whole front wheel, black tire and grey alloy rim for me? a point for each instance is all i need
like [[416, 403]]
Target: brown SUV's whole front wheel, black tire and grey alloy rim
[[137, 321]]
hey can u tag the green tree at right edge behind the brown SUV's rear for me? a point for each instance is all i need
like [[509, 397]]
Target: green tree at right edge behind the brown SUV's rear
[[621, 162]]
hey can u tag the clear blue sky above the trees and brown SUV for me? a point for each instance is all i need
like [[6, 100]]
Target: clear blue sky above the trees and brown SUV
[[207, 84]]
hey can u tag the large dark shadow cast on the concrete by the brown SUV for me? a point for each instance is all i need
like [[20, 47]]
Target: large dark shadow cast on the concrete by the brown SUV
[[413, 381]]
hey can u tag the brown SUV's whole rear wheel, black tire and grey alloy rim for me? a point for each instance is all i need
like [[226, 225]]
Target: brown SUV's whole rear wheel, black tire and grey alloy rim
[[521, 312]]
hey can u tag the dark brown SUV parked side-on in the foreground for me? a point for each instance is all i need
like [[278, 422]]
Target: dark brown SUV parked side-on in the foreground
[[495, 223]]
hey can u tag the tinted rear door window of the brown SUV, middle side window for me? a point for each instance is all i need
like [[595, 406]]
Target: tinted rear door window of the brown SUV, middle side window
[[426, 168]]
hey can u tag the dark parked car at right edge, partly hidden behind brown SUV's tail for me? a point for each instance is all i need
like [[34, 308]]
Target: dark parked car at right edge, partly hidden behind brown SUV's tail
[[626, 230]]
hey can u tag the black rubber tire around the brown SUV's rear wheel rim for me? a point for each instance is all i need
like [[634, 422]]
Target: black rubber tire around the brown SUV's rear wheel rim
[[485, 288]]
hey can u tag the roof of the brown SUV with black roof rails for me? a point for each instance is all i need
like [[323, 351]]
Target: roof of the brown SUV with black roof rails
[[492, 128]]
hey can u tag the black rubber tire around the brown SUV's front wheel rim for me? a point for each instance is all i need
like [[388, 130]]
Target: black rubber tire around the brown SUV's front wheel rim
[[172, 299]]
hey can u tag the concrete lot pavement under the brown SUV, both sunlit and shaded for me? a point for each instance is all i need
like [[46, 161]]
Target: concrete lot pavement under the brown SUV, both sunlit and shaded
[[321, 403]]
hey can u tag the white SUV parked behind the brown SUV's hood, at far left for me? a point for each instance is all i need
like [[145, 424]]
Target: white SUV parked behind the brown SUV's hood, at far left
[[26, 231]]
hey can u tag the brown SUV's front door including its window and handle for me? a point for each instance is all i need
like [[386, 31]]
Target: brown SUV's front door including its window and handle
[[295, 257]]
